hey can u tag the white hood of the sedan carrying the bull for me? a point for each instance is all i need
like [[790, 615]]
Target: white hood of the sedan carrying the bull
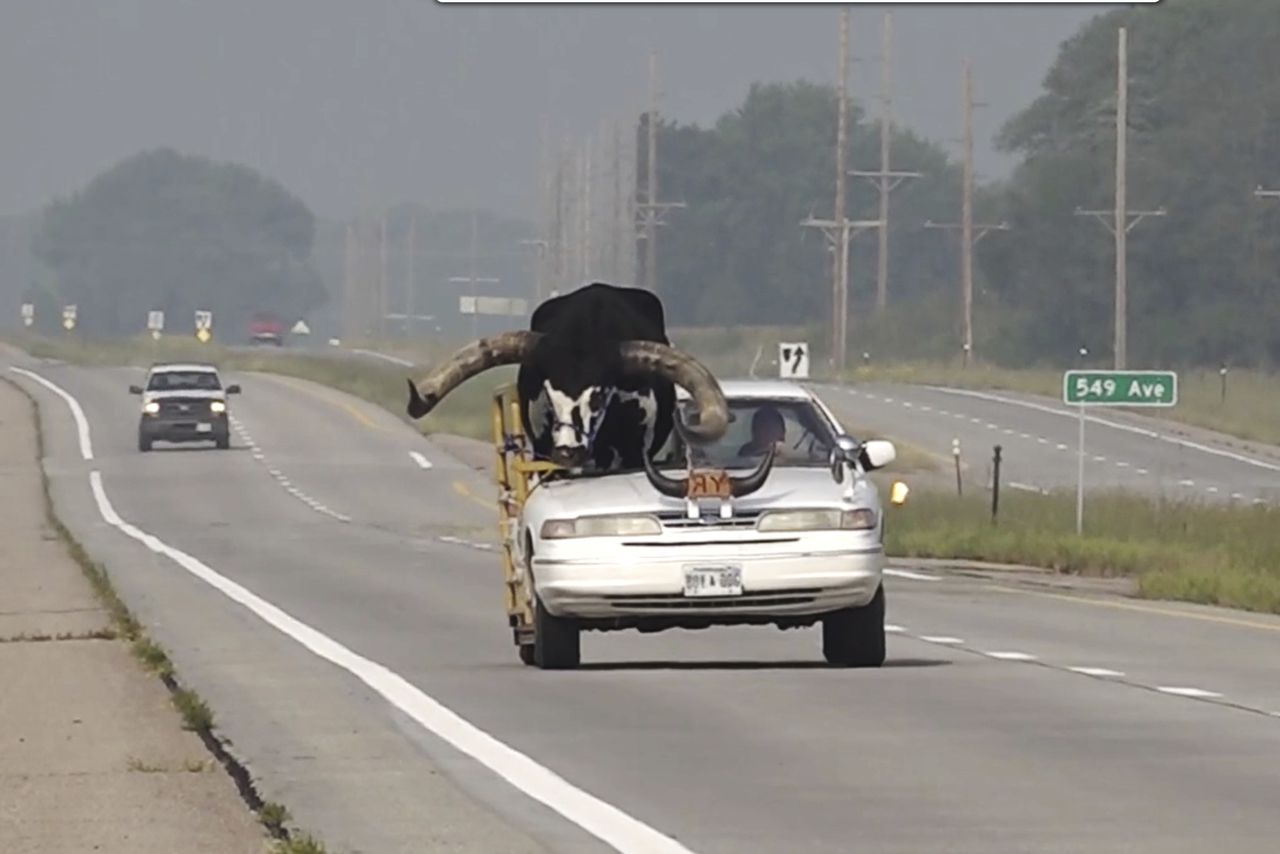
[[633, 494]]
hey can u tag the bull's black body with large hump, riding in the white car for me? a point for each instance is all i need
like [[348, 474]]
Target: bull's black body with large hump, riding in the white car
[[579, 357]]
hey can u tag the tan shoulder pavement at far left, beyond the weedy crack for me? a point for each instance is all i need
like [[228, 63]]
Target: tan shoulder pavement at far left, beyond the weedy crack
[[94, 757]]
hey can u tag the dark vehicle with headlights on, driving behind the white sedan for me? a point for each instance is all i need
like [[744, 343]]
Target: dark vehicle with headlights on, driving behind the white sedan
[[184, 403]]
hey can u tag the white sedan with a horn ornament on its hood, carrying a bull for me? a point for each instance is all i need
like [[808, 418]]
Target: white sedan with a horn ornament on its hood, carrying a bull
[[611, 552]]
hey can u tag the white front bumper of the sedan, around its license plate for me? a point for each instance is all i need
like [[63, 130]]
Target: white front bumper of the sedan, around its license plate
[[775, 584]]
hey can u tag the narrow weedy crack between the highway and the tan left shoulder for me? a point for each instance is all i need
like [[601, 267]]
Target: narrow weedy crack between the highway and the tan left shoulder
[[191, 707]]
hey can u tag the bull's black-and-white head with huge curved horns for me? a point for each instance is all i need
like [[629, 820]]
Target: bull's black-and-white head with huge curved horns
[[578, 383]]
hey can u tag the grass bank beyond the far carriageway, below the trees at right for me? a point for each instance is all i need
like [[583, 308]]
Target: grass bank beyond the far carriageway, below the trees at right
[[1249, 412]]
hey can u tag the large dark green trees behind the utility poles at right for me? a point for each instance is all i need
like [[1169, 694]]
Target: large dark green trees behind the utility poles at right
[[1204, 133]]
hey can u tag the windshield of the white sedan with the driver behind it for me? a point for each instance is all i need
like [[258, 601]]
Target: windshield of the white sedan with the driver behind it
[[802, 433]]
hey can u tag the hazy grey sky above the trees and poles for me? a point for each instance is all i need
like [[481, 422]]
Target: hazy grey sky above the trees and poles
[[363, 103]]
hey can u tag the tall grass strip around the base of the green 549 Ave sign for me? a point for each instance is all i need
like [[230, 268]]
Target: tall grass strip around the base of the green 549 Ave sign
[[1195, 552]]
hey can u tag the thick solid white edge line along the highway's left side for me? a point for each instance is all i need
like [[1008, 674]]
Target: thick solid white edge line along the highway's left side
[[600, 819]]
